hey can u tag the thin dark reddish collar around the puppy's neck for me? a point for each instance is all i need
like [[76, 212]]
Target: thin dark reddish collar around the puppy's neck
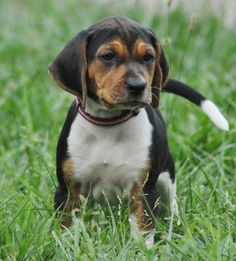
[[125, 116]]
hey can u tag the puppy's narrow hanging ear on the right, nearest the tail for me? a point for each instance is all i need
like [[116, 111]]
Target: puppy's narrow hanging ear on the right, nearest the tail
[[160, 75]]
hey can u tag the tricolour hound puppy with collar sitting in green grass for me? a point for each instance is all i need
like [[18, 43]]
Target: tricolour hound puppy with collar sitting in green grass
[[113, 144]]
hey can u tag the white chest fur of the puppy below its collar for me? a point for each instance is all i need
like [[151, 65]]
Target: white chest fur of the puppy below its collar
[[108, 160]]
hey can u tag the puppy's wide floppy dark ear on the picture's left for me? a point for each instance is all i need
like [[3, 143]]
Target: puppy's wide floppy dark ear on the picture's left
[[69, 68]]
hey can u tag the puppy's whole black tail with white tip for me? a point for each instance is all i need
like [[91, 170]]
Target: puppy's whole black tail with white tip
[[207, 106]]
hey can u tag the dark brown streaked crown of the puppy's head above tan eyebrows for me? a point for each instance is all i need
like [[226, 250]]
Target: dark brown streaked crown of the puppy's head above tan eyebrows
[[126, 30]]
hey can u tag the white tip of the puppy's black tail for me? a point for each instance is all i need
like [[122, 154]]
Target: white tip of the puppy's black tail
[[215, 115]]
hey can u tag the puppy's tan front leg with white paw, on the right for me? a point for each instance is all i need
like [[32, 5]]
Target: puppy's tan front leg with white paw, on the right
[[140, 222]]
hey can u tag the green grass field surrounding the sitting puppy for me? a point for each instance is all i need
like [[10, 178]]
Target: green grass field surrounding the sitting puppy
[[32, 111]]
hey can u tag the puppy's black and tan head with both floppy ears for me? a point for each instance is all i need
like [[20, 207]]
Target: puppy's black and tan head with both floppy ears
[[116, 61]]
